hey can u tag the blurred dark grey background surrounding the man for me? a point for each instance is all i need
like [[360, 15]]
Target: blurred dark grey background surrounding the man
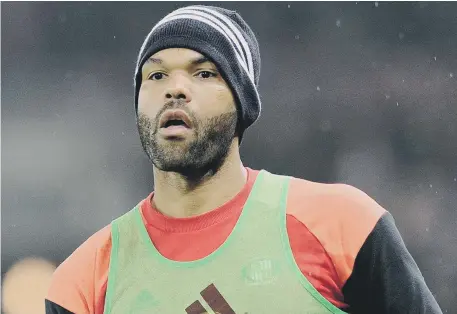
[[363, 93]]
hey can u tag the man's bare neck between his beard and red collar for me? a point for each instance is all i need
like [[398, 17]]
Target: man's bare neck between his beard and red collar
[[176, 195]]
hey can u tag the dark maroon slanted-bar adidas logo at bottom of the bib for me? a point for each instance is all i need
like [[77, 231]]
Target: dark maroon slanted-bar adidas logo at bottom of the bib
[[213, 299]]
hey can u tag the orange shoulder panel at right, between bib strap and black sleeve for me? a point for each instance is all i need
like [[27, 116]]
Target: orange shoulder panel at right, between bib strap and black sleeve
[[340, 216]]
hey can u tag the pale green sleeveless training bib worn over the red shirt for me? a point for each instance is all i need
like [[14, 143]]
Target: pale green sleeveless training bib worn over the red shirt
[[253, 272]]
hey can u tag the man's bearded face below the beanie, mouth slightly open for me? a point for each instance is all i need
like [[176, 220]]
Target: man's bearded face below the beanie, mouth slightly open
[[186, 112]]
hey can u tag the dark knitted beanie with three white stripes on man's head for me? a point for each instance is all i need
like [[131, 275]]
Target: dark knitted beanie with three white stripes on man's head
[[222, 36]]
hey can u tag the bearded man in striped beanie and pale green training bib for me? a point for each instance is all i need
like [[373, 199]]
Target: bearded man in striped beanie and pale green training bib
[[216, 236]]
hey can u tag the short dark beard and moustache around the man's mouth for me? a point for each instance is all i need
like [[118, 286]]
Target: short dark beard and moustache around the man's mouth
[[201, 155]]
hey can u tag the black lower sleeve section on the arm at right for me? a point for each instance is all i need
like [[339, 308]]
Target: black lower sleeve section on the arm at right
[[385, 277]]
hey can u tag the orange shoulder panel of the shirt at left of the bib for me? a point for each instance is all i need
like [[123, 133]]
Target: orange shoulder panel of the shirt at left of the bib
[[75, 283]]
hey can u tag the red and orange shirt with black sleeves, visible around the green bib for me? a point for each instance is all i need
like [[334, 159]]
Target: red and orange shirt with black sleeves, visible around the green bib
[[344, 243]]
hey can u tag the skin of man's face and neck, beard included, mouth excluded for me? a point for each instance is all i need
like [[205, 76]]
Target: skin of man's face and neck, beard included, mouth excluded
[[199, 169]]
